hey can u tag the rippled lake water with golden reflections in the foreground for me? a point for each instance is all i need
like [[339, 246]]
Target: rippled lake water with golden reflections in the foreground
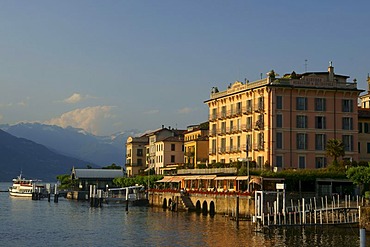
[[24, 222]]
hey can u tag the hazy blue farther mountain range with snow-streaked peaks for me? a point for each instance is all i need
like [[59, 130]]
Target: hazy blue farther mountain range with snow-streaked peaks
[[100, 150]]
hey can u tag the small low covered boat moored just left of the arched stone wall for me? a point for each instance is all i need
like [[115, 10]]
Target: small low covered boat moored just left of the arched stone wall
[[134, 195]]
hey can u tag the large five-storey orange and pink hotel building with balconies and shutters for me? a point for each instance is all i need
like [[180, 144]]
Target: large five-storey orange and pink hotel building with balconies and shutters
[[283, 123]]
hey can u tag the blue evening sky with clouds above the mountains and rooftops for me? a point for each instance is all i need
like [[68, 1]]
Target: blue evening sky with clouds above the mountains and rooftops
[[112, 66]]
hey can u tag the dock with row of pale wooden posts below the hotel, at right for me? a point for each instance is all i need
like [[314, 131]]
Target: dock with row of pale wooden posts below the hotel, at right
[[307, 212]]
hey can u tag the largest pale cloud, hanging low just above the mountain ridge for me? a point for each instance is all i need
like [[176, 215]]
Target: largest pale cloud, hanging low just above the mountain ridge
[[89, 119]]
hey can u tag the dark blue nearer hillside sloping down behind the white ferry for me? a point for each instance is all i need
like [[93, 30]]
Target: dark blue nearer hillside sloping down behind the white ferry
[[34, 160]]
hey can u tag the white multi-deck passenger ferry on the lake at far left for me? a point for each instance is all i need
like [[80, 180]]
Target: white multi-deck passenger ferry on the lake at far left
[[24, 187]]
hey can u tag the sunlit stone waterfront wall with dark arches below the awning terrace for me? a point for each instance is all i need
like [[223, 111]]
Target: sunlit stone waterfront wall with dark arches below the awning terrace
[[219, 203]]
